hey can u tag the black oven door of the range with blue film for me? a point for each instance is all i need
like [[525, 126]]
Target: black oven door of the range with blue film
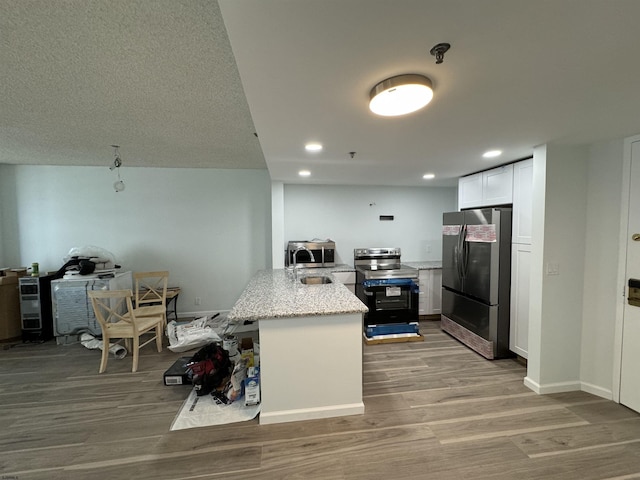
[[393, 300]]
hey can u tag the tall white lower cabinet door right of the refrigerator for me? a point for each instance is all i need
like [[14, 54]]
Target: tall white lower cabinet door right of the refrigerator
[[519, 321]]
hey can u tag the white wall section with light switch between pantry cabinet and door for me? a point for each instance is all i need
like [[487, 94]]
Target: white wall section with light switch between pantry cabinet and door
[[557, 326]]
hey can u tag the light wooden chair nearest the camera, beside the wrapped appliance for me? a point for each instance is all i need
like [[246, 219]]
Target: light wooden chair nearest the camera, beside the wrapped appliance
[[118, 320]]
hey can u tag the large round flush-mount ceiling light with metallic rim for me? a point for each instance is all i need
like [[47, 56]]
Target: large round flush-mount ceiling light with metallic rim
[[400, 95]]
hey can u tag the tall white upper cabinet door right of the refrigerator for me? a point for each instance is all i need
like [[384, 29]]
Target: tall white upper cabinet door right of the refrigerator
[[522, 201]]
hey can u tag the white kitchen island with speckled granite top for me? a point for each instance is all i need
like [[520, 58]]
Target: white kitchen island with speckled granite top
[[310, 345]]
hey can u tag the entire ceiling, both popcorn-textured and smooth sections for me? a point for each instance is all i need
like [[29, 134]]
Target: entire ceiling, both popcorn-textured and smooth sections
[[163, 80]]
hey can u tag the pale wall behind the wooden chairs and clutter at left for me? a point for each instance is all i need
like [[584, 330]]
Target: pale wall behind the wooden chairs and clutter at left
[[211, 228]]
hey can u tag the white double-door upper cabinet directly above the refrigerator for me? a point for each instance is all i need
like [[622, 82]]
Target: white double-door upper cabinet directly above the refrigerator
[[486, 189]]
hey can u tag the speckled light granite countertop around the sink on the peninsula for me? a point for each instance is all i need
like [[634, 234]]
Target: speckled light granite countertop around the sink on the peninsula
[[276, 294]]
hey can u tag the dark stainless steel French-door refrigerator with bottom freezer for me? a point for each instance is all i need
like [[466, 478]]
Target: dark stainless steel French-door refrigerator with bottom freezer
[[476, 279]]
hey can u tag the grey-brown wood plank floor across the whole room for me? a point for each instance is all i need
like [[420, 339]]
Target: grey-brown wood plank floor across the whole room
[[434, 410]]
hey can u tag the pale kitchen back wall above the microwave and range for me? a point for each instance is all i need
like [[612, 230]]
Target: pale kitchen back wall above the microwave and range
[[349, 215]]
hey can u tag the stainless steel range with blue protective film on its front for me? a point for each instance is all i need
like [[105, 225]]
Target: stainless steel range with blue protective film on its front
[[389, 288]]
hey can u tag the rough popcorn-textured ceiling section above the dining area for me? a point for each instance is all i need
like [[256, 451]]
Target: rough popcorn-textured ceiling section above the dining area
[[156, 77]]
